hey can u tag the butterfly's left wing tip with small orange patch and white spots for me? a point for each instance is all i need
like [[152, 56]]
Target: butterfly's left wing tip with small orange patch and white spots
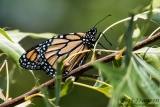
[[32, 59]]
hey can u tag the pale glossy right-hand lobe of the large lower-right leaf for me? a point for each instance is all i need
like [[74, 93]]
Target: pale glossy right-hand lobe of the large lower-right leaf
[[150, 89]]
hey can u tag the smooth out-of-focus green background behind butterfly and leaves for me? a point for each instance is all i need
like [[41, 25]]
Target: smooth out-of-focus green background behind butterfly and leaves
[[60, 17]]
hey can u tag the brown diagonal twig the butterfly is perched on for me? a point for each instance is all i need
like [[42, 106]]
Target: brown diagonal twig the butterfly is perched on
[[83, 68]]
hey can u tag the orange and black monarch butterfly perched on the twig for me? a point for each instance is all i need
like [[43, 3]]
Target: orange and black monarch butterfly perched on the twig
[[45, 55]]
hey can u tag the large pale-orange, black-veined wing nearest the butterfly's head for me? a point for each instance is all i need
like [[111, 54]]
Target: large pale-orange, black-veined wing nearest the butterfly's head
[[57, 51]]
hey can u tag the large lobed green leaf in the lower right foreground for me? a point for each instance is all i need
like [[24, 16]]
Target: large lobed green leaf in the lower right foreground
[[132, 81]]
